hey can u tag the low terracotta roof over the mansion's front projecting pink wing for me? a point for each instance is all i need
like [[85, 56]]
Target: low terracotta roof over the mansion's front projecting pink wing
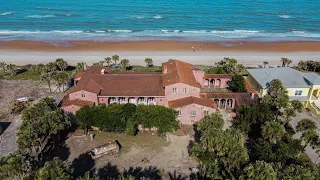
[[191, 100]]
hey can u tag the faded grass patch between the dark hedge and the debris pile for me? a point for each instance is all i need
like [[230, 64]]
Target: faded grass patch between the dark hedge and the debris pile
[[143, 140]]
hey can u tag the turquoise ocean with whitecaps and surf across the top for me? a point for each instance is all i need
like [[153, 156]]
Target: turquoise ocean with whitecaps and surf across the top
[[185, 20]]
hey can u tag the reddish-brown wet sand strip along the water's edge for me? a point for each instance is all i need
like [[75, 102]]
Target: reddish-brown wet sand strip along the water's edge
[[160, 45]]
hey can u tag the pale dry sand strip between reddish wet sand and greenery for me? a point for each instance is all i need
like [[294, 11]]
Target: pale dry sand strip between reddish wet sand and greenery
[[137, 57]]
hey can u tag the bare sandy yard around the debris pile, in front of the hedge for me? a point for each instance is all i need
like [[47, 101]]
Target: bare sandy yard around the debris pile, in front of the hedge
[[144, 150]]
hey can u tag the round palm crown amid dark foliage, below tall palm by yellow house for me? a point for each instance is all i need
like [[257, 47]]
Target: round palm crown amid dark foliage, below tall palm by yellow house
[[273, 131]]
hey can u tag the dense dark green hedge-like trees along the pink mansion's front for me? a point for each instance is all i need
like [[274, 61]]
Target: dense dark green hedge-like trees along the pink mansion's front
[[125, 118]]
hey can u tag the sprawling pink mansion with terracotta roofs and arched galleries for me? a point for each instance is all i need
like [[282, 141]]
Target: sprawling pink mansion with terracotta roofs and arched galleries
[[189, 90]]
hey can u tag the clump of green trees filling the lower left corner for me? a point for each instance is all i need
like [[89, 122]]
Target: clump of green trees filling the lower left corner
[[42, 124]]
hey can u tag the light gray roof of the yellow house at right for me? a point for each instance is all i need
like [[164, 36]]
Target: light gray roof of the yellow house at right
[[290, 78]]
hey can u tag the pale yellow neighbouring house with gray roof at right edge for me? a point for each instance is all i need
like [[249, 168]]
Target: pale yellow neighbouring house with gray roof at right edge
[[302, 86]]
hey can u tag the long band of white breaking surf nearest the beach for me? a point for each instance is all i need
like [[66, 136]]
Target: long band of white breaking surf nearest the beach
[[233, 34]]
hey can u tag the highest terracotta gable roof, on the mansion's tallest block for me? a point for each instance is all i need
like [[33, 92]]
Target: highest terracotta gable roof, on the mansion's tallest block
[[178, 72]]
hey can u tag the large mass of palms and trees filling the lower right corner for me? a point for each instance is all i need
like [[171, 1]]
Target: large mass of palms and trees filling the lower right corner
[[259, 145]]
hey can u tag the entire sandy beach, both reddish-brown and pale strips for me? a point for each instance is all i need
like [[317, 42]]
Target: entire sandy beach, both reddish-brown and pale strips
[[247, 53]]
